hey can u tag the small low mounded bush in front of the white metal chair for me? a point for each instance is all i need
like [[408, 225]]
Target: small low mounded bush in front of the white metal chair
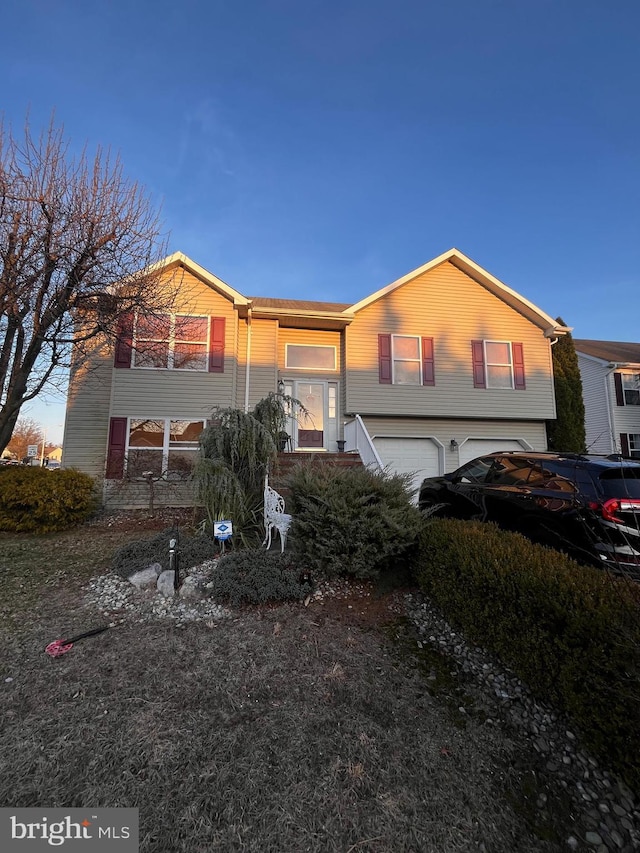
[[257, 577]]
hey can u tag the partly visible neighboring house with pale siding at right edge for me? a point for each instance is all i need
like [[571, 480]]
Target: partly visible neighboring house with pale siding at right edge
[[610, 372]]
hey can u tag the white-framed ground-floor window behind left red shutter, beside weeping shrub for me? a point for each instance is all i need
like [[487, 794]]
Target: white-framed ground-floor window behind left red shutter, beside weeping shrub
[[164, 446]]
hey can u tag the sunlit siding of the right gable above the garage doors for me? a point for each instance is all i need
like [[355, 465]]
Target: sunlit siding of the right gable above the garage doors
[[454, 309]]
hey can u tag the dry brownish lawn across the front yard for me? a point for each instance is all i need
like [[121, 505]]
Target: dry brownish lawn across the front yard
[[281, 728]]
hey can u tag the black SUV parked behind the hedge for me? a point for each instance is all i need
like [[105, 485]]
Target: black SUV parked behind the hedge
[[588, 506]]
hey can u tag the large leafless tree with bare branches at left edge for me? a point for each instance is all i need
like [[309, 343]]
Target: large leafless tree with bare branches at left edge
[[79, 247]]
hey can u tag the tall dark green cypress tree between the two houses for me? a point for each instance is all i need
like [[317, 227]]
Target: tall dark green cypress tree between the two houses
[[567, 432]]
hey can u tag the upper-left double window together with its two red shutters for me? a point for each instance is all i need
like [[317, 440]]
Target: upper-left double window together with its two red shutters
[[171, 342]]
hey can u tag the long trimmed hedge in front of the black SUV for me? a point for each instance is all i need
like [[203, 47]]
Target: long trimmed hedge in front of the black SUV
[[571, 632]]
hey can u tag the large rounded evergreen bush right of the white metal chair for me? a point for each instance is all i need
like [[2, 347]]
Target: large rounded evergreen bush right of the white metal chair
[[351, 521]]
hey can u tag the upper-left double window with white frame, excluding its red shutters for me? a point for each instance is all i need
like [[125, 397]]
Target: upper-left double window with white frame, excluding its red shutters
[[175, 342]]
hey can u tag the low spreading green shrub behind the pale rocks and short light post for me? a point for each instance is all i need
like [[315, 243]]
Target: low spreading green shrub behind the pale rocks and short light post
[[136, 555]]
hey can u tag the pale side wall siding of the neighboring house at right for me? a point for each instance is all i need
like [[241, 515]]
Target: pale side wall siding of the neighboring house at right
[[596, 388]]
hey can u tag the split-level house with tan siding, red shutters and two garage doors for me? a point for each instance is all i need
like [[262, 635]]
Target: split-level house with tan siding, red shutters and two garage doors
[[442, 365]]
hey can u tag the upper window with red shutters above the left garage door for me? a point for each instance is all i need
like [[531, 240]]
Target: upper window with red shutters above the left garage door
[[405, 360]]
